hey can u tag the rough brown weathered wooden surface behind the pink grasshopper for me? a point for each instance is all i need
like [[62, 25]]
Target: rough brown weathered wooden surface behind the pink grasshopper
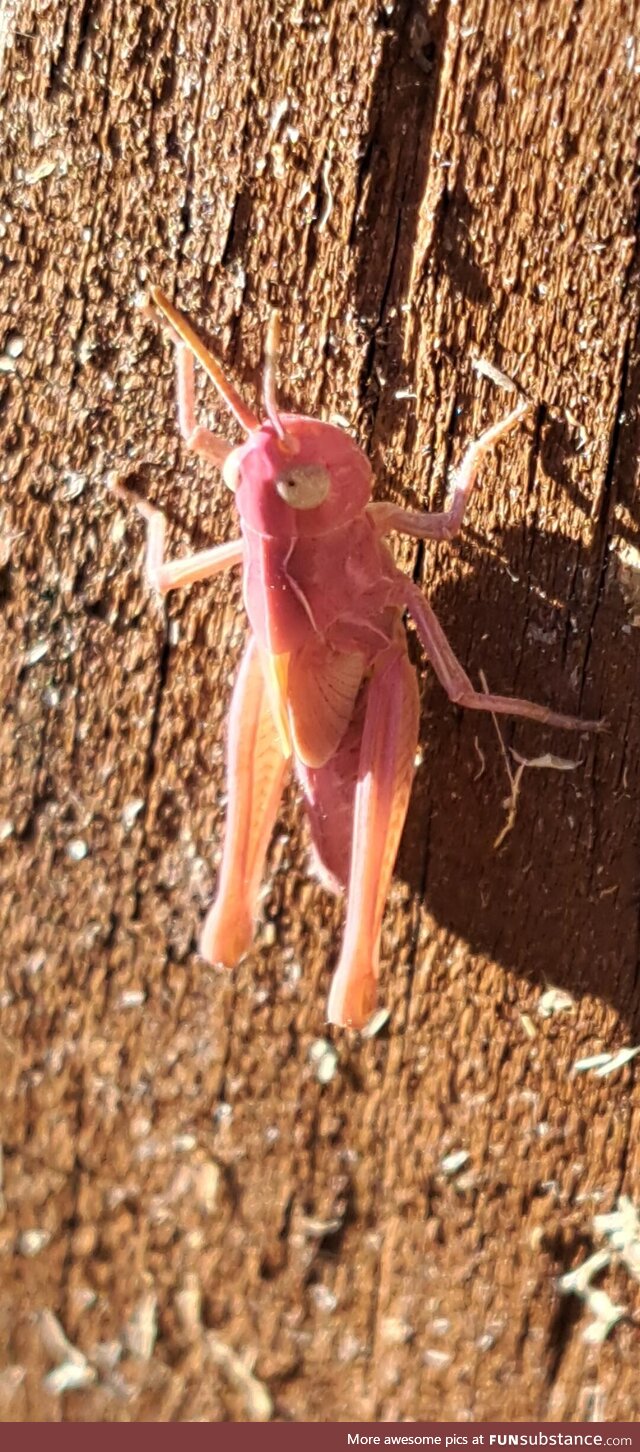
[[419, 188]]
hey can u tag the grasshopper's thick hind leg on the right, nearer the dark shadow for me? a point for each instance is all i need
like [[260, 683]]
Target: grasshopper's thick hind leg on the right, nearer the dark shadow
[[382, 796]]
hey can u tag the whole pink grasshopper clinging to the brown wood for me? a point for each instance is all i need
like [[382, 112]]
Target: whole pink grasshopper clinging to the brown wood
[[326, 682]]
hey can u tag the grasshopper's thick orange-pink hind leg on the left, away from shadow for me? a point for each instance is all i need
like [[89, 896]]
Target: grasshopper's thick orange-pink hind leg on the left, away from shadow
[[258, 767]]
